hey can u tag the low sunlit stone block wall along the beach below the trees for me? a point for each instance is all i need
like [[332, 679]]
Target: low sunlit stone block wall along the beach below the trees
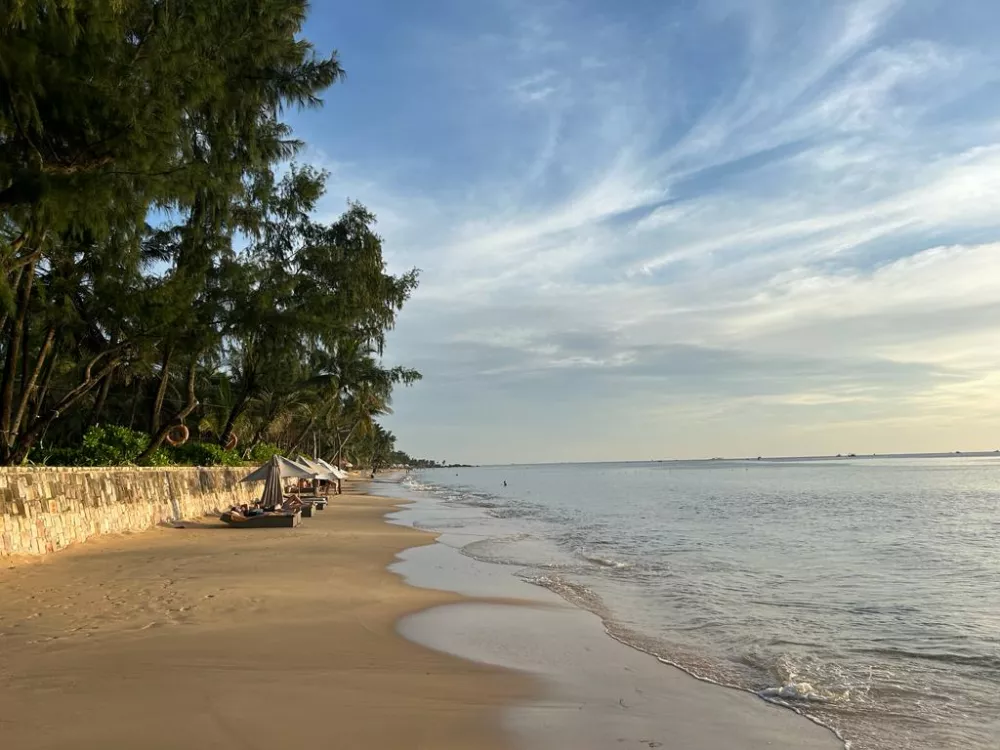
[[45, 509]]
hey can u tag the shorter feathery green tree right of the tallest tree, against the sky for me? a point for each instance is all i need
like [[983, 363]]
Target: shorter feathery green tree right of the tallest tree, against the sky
[[310, 293]]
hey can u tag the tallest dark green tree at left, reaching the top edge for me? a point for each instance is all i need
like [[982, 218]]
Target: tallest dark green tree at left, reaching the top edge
[[109, 110]]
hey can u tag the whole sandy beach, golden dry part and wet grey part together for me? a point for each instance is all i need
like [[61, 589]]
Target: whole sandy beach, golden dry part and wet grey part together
[[212, 637]]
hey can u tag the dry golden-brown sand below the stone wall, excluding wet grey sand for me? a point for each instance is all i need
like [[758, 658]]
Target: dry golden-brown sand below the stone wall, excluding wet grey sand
[[211, 637]]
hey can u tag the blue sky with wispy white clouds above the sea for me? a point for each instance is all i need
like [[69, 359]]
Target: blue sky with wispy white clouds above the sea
[[673, 229]]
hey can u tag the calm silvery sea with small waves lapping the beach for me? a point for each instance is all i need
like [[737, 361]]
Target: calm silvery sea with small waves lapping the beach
[[862, 593]]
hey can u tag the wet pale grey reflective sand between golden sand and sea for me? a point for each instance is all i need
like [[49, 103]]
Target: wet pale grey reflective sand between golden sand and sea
[[662, 701]]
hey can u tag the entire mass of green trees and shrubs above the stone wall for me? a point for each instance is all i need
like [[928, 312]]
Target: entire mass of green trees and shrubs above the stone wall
[[238, 312]]
